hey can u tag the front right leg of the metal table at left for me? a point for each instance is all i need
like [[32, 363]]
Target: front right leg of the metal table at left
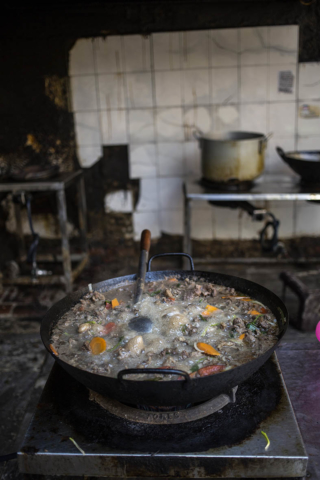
[[66, 257]]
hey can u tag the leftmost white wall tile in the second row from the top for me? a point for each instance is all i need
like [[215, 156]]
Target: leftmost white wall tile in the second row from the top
[[84, 93]]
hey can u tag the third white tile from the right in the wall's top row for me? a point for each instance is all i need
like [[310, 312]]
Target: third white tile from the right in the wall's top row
[[224, 47]]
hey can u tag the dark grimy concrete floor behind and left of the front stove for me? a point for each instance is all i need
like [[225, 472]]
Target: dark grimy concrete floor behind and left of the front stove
[[24, 364]]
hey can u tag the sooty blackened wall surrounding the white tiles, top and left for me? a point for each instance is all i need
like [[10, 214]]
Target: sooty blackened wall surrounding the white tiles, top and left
[[36, 122]]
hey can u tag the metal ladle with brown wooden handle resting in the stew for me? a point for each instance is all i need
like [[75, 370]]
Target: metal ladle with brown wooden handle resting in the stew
[[142, 324]]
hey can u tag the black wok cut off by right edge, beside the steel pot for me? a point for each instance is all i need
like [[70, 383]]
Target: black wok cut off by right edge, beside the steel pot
[[304, 163]]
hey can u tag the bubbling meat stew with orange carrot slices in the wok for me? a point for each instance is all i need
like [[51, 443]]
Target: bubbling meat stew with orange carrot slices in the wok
[[198, 327]]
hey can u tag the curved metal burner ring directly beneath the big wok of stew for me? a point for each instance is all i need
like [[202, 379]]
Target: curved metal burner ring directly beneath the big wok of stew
[[164, 417]]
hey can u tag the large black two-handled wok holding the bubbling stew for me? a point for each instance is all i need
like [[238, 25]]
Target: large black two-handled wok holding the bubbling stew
[[179, 392]]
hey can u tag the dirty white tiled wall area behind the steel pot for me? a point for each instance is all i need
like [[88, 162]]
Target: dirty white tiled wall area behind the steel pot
[[152, 92]]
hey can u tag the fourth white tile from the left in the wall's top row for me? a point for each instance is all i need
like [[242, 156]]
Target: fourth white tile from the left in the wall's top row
[[166, 51]]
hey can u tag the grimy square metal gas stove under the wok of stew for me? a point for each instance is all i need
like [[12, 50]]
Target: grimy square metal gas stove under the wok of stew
[[115, 440]]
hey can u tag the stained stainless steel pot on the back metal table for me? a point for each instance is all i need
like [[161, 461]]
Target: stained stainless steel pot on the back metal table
[[232, 157]]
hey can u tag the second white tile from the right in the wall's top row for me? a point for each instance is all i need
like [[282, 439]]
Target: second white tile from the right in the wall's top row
[[254, 46]]
